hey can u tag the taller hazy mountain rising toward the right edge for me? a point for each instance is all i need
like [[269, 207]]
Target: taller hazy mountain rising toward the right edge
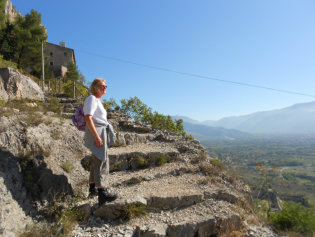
[[296, 119]]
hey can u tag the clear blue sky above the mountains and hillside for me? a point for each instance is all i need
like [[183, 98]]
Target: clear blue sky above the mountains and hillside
[[262, 42]]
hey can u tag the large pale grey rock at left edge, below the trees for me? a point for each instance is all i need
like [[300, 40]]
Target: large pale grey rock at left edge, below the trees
[[14, 85]]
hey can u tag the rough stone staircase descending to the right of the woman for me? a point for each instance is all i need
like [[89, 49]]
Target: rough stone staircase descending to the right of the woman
[[172, 198]]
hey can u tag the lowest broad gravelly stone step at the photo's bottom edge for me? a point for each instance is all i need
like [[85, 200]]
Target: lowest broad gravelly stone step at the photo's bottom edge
[[204, 219]]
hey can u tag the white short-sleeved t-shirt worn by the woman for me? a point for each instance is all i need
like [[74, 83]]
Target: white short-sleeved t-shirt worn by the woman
[[94, 107]]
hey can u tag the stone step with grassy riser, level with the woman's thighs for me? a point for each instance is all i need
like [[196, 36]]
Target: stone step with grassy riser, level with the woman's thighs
[[140, 156]]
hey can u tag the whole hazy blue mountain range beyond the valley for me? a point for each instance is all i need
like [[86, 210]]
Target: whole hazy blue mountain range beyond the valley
[[296, 119]]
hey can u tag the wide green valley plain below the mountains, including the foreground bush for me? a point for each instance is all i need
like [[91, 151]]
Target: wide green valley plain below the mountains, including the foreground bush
[[285, 166]]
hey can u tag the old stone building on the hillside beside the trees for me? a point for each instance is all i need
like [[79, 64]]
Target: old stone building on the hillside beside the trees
[[59, 57]]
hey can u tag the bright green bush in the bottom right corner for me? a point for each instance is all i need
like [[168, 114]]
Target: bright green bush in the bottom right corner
[[295, 217]]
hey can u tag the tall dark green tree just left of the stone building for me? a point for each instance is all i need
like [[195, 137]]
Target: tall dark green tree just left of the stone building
[[30, 34]]
